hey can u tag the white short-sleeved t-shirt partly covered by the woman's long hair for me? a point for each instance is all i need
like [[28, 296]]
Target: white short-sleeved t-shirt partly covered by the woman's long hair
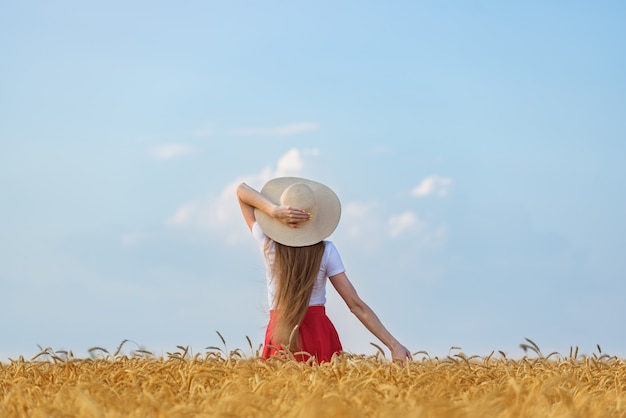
[[331, 265]]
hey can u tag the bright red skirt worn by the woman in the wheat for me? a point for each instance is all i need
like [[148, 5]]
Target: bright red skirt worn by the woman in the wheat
[[318, 337]]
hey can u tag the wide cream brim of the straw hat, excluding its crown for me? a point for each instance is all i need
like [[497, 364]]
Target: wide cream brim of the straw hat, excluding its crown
[[320, 227]]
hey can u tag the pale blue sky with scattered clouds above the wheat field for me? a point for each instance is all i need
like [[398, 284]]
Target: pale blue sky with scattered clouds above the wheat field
[[477, 148]]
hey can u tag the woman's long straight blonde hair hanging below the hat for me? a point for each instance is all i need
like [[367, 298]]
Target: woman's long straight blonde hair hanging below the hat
[[295, 270]]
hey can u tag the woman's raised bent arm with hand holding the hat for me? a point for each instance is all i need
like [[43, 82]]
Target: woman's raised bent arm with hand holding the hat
[[250, 199]]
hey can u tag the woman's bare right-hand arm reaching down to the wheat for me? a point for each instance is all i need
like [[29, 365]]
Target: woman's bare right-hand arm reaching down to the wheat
[[366, 315]]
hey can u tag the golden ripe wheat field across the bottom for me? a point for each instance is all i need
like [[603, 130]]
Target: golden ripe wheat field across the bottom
[[231, 384]]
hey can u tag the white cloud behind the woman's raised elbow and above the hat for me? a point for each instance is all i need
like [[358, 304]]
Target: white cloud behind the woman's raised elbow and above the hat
[[222, 212]]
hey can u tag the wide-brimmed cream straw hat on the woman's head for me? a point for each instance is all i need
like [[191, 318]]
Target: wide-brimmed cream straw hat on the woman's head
[[315, 198]]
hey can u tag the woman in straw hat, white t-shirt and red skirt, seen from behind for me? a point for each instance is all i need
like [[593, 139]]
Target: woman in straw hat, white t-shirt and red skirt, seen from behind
[[290, 219]]
